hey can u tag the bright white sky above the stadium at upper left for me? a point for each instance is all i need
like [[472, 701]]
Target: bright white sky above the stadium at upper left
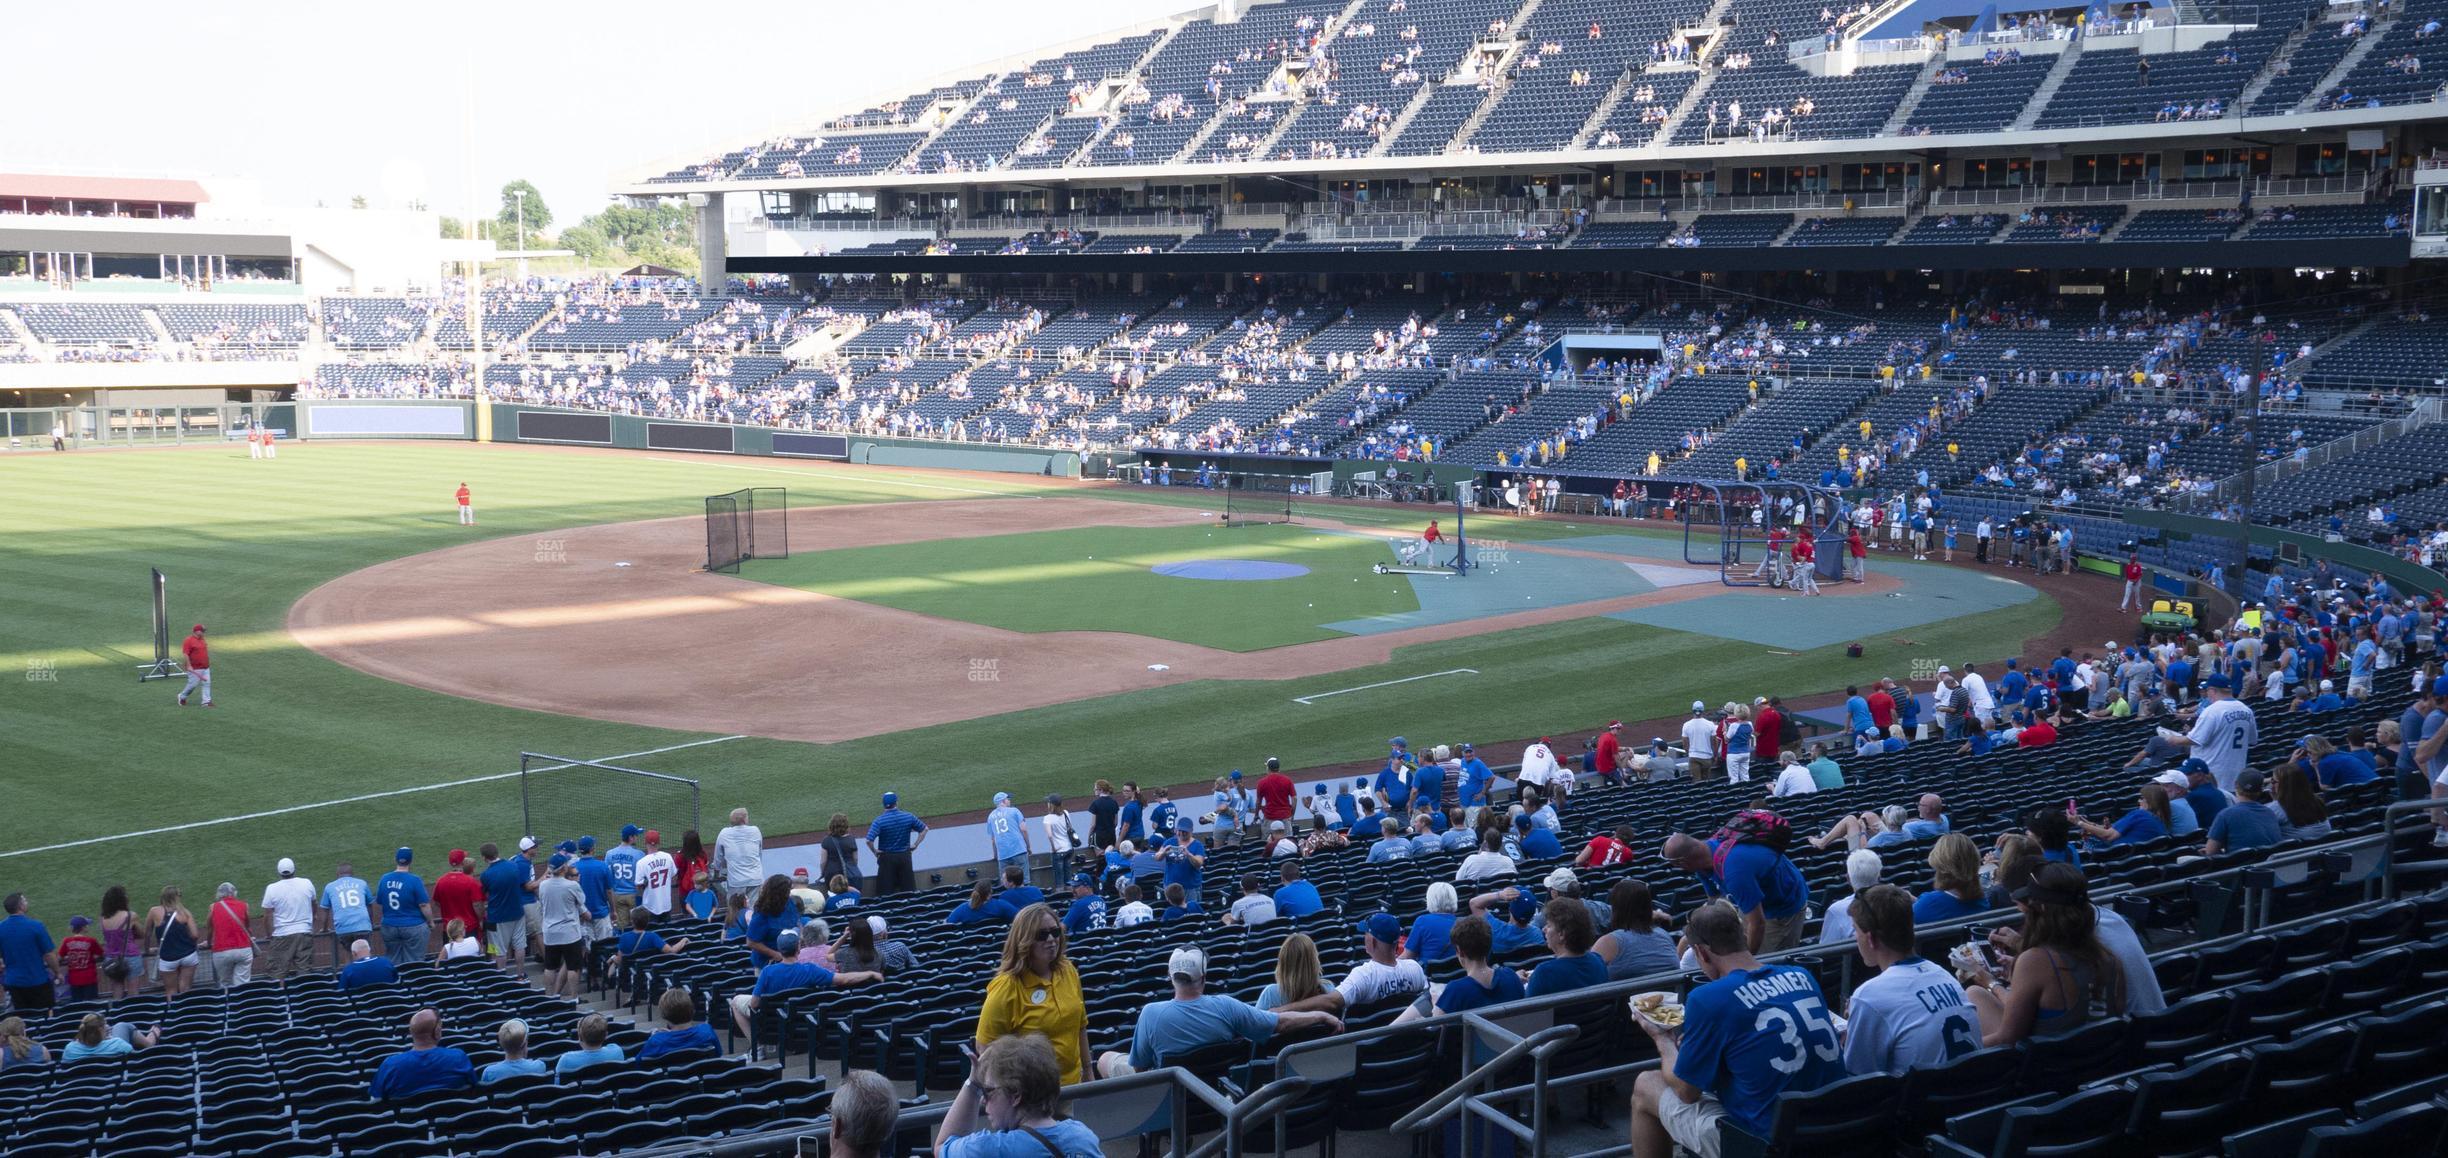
[[322, 102]]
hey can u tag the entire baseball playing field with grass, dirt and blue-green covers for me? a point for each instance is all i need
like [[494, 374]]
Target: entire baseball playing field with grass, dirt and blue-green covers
[[949, 635]]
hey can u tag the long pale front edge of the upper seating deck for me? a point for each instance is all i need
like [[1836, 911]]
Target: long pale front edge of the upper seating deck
[[1514, 163]]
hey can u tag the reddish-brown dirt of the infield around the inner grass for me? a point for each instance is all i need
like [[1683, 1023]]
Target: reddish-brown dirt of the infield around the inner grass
[[557, 626]]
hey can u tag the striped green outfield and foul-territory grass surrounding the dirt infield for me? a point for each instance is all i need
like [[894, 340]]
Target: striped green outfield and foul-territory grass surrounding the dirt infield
[[92, 753]]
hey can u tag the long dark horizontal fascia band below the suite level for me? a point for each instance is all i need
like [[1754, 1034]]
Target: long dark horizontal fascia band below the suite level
[[2332, 253]]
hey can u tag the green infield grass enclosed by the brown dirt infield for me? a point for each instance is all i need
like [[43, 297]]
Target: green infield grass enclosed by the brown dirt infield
[[1095, 579]]
